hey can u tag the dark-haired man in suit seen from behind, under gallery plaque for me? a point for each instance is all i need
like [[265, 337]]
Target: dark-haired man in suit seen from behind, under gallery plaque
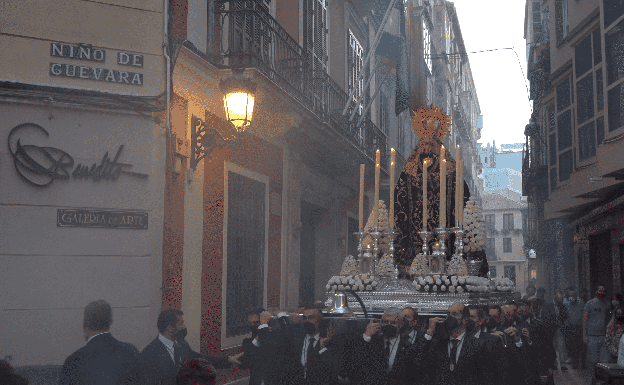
[[104, 359]]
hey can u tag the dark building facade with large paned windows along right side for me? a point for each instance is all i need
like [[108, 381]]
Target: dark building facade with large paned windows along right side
[[572, 167]]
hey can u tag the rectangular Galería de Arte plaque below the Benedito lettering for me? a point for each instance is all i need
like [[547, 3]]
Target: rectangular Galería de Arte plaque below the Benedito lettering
[[101, 219]]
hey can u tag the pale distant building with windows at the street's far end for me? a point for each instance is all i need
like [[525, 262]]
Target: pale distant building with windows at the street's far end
[[504, 213]]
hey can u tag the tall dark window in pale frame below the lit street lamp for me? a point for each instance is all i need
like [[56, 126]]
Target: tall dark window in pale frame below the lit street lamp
[[246, 216]]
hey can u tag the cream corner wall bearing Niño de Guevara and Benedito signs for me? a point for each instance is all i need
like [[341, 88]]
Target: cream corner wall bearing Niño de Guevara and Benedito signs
[[83, 105]]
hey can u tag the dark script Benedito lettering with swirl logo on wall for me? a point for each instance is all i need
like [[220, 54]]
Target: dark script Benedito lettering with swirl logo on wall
[[41, 166]]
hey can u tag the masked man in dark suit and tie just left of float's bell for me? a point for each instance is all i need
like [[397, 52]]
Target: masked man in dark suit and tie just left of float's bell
[[303, 356]]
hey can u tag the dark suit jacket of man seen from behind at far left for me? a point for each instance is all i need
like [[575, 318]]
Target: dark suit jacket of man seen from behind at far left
[[103, 360]]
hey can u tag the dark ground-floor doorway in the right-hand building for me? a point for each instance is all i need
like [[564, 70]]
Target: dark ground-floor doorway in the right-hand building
[[600, 263]]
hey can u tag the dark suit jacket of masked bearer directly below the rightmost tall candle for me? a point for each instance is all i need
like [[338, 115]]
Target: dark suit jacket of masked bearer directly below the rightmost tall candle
[[470, 368]]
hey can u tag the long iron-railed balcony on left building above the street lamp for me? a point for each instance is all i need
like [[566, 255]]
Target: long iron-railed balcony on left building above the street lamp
[[244, 33]]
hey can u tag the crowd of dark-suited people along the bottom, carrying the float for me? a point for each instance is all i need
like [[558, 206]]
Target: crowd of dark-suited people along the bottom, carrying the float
[[518, 343]]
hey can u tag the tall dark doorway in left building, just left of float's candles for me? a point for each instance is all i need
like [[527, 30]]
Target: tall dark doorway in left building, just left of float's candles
[[311, 216]]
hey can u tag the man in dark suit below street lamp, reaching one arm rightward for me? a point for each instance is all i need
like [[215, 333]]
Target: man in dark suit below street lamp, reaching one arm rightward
[[160, 359]]
